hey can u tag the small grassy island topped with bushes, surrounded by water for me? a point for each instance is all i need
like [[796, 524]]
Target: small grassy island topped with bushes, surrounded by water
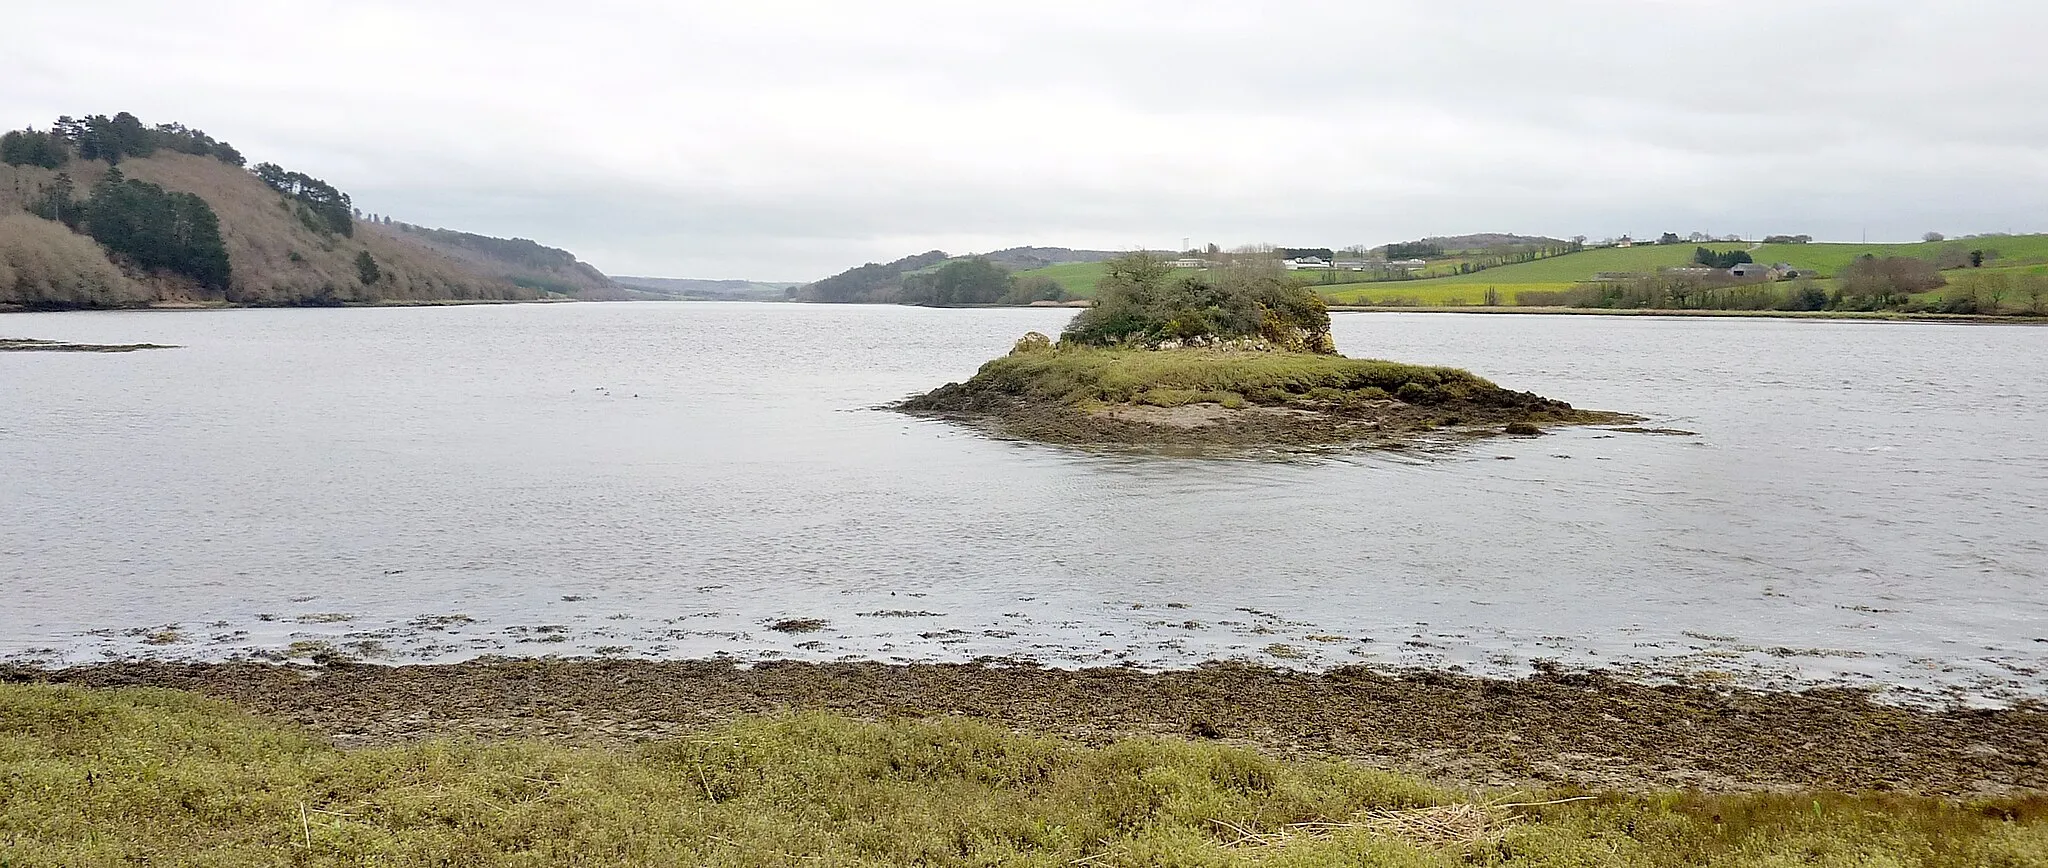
[[1234, 359]]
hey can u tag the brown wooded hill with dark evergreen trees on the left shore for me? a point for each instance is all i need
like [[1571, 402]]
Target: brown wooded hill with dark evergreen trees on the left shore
[[108, 212]]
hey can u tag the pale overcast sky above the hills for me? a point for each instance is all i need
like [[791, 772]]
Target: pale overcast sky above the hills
[[792, 140]]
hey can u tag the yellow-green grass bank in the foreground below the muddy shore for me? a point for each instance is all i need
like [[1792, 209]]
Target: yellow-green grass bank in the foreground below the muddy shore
[[157, 777]]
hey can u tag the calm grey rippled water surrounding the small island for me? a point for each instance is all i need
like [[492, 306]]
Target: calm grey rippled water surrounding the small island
[[1863, 503]]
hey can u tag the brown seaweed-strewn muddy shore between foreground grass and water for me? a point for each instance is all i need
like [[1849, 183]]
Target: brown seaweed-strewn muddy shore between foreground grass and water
[[1558, 730]]
